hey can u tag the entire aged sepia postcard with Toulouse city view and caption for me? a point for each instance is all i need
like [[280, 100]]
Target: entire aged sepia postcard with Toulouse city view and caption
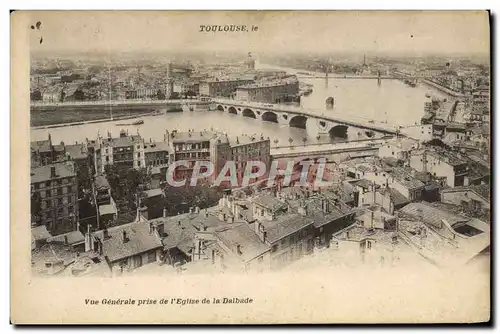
[[250, 167]]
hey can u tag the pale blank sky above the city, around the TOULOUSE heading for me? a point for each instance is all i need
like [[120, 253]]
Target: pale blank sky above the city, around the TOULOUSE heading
[[315, 31]]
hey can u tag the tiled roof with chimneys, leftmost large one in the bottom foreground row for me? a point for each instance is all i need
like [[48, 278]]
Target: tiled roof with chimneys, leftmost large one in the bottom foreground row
[[139, 240]]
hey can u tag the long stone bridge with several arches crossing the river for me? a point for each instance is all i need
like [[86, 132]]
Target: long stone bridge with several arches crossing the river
[[315, 122]]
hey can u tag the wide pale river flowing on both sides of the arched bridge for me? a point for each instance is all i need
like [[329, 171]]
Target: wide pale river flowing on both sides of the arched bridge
[[392, 101]]
